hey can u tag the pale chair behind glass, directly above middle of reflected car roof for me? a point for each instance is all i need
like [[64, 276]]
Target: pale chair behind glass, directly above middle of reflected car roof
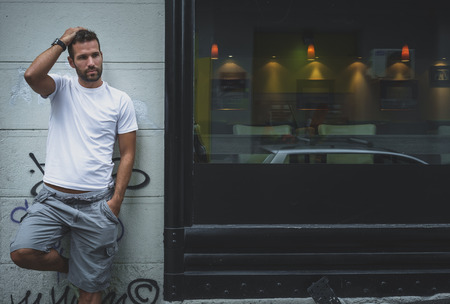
[[342, 130]]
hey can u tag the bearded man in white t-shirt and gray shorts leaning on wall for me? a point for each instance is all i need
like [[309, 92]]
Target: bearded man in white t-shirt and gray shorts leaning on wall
[[79, 195]]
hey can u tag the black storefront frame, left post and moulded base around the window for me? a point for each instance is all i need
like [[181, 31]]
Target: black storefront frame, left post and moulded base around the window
[[207, 261]]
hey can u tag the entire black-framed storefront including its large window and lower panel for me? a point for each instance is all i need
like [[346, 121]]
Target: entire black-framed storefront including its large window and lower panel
[[320, 131]]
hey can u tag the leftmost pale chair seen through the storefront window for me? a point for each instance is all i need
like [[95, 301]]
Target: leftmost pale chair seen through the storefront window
[[258, 130]]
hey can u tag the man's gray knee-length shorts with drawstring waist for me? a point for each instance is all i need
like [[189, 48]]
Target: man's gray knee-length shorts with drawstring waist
[[93, 228]]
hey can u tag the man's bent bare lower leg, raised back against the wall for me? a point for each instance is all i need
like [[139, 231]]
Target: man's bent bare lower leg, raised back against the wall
[[40, 260]]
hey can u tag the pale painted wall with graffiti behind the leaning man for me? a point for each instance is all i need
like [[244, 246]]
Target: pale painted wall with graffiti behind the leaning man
[[131, 33]]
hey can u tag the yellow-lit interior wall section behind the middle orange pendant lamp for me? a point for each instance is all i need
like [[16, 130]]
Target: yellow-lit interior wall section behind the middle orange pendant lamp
[[280, 74]]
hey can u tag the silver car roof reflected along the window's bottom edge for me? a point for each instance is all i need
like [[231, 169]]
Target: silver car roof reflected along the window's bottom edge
[[343, 155]]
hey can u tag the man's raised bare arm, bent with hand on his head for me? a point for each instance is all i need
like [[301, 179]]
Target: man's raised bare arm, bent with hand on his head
[[37, 73]]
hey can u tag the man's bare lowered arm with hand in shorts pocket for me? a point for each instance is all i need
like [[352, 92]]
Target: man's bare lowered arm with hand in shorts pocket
[[127, 149]]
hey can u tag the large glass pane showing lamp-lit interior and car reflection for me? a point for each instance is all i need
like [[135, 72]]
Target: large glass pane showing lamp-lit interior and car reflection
[[322, 82]]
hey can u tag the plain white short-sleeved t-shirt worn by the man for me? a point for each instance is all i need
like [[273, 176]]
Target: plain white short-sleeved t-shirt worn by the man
[[83, 127]]
